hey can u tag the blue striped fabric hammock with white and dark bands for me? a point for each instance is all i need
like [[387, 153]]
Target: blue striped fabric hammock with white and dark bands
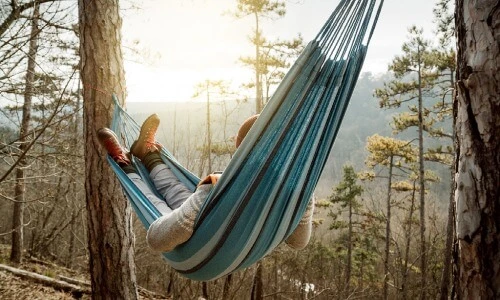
[[264, 191]]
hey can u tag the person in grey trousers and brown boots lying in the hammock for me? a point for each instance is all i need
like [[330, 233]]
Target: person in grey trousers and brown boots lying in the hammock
[[179, 206]]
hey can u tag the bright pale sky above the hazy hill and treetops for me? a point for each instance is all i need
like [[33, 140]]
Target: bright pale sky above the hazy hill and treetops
[[184, 42]]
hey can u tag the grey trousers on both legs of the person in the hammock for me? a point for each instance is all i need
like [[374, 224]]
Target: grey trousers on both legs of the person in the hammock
[[173, 191]]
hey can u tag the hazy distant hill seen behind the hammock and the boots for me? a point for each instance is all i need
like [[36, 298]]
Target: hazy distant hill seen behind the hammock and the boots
[[187, 122]]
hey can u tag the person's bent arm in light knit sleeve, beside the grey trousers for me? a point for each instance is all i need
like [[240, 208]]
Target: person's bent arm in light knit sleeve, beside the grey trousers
[[173, 229]]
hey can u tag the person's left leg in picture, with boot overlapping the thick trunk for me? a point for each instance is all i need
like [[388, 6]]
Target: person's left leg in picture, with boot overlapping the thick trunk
[[109, 141]]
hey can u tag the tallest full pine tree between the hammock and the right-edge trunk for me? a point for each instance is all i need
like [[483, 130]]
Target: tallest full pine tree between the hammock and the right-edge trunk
[[415, 79]]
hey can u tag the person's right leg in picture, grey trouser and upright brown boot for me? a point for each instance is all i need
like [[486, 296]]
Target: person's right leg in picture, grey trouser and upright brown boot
[[148, 151]]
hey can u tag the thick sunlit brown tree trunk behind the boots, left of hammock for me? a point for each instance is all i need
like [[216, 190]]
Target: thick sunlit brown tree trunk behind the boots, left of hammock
[[109, 216]]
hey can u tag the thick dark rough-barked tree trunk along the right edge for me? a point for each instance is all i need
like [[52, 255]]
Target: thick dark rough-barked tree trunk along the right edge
[[477, 189]]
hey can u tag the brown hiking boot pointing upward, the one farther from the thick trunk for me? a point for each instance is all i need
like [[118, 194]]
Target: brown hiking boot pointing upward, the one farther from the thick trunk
[[146, 142]]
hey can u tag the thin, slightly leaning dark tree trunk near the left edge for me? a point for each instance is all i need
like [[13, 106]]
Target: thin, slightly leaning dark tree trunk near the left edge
[[20, 189]]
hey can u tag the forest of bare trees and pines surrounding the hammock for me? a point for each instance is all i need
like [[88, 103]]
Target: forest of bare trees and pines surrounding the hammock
[[406, 206]]
